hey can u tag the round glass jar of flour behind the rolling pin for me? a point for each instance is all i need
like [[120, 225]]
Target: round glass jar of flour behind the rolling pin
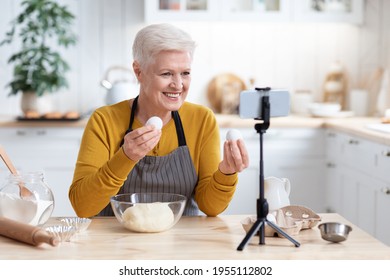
[[35, 210]]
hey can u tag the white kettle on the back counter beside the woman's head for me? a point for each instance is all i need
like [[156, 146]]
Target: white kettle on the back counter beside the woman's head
[[119, 89]]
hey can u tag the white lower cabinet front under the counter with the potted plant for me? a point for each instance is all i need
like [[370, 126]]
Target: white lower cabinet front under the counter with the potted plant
[[51, 150]]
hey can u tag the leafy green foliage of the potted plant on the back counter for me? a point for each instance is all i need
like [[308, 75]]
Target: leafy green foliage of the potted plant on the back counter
[[38, 67]]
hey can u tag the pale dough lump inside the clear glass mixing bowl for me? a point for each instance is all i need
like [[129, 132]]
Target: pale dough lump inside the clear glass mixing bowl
[[148, 217]]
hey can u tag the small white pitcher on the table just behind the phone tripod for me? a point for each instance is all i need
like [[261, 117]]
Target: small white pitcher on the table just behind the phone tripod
[[277, 191]]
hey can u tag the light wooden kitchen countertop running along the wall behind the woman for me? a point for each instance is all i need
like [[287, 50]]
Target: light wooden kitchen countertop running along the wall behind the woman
[[352, 125]]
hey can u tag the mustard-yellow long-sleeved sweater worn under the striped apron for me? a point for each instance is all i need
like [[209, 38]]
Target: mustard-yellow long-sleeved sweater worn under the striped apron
[[102, 166]]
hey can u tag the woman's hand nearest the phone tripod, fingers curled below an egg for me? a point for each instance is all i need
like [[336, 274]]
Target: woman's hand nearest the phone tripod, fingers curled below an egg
[[235, 157]]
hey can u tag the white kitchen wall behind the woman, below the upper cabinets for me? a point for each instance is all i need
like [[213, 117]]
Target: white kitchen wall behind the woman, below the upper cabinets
[[295, 56]]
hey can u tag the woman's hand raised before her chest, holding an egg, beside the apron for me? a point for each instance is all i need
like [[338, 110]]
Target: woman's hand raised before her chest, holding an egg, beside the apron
[[139, 142]]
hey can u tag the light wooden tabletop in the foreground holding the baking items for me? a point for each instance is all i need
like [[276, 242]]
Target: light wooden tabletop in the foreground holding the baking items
[[197, 238]]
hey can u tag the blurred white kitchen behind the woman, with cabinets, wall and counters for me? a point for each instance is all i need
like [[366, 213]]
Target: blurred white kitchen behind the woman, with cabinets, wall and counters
[[331, 55]]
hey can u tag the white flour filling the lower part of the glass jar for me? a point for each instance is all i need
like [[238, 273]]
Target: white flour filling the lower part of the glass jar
[[21, 210]]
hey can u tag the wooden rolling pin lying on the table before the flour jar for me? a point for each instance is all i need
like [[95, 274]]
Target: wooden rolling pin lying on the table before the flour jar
[[26, 233]]
